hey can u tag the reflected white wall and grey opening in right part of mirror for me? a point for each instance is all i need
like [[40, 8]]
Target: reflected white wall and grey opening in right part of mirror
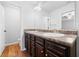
[[63, 18]]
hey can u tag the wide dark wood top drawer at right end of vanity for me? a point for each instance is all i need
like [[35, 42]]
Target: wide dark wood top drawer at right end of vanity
[[60, 49]]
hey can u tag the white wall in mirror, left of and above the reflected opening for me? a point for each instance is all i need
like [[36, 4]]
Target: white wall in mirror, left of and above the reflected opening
[[56, 16]]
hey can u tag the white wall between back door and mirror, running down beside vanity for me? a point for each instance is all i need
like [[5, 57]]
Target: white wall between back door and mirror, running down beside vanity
[[26, 22]]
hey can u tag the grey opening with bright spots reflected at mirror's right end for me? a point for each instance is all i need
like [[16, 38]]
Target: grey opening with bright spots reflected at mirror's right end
[[68, 20]]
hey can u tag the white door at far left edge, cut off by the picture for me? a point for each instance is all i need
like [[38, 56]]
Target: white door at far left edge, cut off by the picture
[[2, 28]]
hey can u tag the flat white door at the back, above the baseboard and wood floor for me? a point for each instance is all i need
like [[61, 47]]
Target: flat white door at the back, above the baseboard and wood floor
[[13, 25]]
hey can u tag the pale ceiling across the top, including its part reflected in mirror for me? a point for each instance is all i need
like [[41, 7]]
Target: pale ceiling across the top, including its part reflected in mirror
[[47, 6]]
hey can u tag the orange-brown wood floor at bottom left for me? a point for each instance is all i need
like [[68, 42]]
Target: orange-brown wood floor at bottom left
[[14, 51]]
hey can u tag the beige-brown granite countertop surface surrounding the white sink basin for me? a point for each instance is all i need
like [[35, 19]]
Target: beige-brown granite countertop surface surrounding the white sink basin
[[67, 39]]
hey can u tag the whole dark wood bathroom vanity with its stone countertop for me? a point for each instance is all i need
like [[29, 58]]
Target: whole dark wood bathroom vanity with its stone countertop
[[46, 44]]
